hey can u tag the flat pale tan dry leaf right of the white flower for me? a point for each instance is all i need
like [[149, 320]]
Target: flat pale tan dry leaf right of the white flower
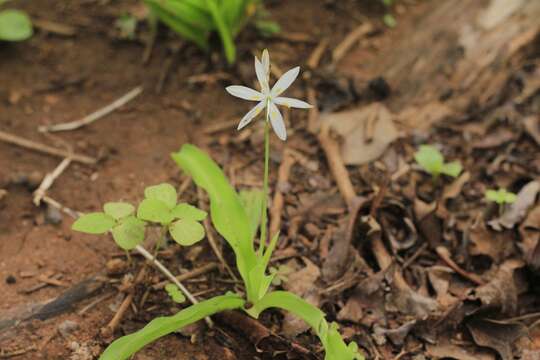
[[366, 132]]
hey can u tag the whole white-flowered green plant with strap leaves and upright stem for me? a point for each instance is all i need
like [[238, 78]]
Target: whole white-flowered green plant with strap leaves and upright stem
[[238, 217]]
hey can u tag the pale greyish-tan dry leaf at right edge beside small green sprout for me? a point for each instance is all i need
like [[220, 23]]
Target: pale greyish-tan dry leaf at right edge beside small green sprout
[[518, 210]]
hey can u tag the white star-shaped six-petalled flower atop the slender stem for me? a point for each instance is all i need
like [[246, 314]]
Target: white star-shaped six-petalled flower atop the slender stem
[[268, 98]]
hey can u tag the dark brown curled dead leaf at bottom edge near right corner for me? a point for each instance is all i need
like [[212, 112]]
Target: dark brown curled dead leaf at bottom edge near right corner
[[497, 335]]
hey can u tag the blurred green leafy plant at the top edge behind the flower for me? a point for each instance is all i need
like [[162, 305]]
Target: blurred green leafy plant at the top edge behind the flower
[[195, 20]]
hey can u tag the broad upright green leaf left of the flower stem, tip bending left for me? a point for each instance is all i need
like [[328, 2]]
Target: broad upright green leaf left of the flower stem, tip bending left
[[226, 210]]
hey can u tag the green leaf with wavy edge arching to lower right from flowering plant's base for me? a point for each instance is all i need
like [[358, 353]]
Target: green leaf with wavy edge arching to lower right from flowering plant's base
[[333, 343]]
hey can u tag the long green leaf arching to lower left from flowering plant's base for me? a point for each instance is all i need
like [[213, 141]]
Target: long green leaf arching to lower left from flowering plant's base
[[126, 346]]
